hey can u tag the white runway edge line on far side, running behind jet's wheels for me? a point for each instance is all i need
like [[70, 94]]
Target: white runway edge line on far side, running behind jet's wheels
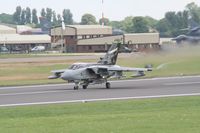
[[133, 80]]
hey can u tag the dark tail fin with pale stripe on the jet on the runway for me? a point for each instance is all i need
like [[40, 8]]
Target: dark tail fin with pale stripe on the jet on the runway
[[111, 56]]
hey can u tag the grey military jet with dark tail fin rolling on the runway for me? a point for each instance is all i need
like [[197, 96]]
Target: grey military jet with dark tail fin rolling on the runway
[[83, 74]]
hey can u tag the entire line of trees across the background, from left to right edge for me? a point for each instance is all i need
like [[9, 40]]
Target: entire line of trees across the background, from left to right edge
[[169, 26]]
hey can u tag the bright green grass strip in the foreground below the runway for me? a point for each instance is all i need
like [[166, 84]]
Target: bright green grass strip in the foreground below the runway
[[165, 115]]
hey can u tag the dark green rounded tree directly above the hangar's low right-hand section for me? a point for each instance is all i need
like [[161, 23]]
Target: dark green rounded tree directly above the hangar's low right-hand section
[[140, 25]]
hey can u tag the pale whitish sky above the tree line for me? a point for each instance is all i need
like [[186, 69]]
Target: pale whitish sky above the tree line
[[113, 9]]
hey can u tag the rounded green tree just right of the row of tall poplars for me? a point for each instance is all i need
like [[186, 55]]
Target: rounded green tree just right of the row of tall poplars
[[88, 19]]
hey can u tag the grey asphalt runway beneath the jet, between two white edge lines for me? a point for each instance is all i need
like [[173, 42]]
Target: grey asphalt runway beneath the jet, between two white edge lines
[[123, 89]]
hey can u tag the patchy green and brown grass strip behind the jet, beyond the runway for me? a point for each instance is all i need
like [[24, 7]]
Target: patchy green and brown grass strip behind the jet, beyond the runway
[[175, 63]]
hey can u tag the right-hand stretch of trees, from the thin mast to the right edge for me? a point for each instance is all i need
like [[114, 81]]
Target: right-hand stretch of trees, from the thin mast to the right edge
[[169, 26]]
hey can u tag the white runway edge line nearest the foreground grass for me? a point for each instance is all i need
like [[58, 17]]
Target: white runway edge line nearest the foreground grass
[[103, 99]]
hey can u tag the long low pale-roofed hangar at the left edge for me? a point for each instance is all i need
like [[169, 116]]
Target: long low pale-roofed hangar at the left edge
[[21, 43]]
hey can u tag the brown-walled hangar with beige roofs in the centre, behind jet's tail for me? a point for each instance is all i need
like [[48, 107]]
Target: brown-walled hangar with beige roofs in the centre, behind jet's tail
[[97, 38]]
